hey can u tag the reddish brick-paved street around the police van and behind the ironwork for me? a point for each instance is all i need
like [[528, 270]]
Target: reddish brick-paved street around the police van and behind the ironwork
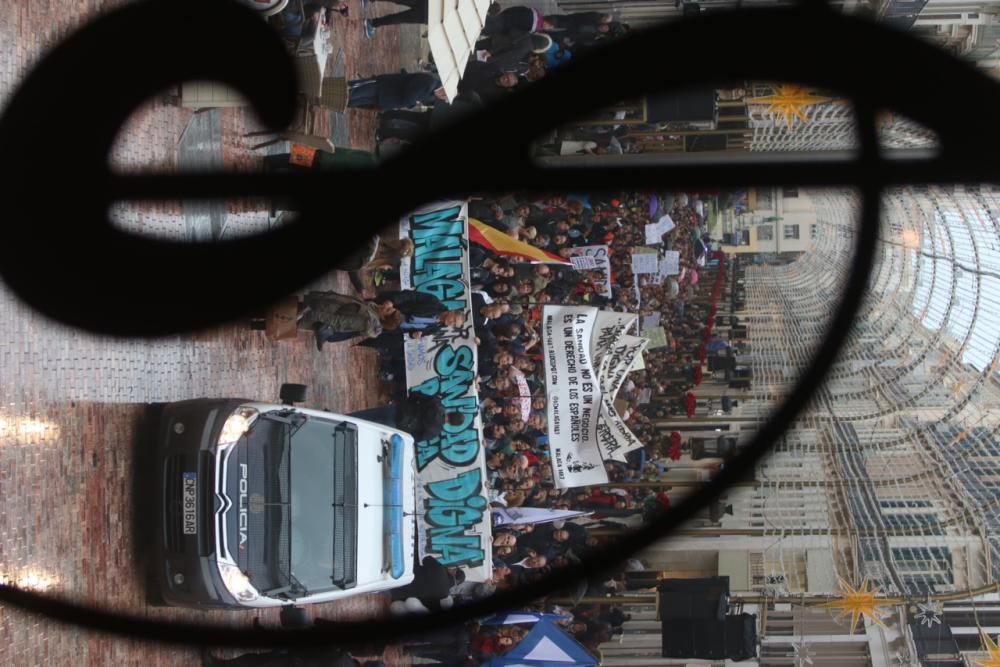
[[71, 402]]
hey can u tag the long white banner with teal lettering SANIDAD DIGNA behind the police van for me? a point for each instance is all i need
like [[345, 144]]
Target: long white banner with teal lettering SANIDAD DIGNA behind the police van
[[453, 524]]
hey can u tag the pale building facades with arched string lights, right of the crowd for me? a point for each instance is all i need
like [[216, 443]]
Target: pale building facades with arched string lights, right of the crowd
[[892, 474]]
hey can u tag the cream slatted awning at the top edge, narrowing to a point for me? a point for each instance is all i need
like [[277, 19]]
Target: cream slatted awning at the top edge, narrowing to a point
[[453, 26]]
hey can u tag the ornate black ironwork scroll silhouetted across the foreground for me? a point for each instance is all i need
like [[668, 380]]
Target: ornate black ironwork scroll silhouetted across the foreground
[[59, 189]]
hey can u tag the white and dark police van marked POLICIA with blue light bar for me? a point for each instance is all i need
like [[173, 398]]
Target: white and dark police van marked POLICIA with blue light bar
[[263, 505]]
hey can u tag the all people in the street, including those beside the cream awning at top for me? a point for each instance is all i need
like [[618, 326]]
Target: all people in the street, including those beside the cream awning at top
[[518, 45]]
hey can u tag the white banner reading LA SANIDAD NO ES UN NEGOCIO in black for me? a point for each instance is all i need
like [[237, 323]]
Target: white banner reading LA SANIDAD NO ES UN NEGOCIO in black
[[574, 396]]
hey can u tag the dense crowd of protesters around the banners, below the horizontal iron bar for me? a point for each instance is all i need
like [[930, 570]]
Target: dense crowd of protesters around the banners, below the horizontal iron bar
[[508, 295]]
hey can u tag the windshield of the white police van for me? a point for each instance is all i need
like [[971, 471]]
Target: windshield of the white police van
[[323, 505]]
